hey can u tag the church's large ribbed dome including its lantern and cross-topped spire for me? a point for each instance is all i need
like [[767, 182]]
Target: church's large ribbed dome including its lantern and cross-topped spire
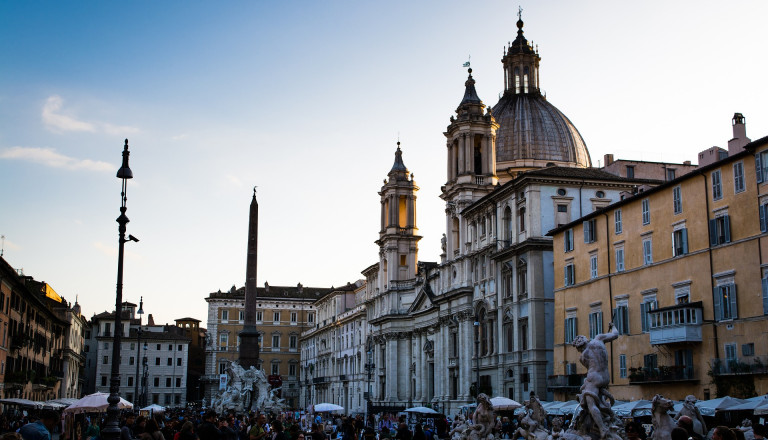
[[532, 132]]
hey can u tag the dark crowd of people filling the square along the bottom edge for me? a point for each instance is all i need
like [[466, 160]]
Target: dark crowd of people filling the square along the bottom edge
[[208, 425]]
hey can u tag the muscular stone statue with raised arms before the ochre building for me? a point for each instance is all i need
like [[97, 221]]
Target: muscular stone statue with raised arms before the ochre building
[[595, 419]]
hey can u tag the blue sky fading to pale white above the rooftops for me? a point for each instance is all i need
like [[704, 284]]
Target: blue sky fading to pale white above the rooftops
[[306, 100]]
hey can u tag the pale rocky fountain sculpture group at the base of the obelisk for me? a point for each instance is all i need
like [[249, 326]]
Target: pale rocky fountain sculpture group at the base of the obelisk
[[246, 390]]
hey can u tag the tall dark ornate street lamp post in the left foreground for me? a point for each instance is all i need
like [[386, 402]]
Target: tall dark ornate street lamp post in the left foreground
[[111, 429]]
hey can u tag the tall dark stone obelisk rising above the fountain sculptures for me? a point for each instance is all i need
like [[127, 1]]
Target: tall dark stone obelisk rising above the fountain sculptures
[[249, 336]]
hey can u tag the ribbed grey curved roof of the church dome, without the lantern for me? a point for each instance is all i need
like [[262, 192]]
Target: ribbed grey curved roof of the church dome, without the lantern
[[530, 128]]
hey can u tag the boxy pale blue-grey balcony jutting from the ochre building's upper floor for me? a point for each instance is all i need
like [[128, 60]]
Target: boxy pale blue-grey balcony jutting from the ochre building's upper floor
[[679, 323]]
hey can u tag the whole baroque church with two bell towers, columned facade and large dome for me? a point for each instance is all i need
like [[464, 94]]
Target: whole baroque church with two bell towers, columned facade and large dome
[[482, 318]]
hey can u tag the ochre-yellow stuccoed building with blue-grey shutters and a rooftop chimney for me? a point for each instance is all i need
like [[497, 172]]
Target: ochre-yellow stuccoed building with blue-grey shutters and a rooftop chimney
[[682, 271]]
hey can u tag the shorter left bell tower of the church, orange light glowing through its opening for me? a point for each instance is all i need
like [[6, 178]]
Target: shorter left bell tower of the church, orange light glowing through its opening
[[398, 239]]
